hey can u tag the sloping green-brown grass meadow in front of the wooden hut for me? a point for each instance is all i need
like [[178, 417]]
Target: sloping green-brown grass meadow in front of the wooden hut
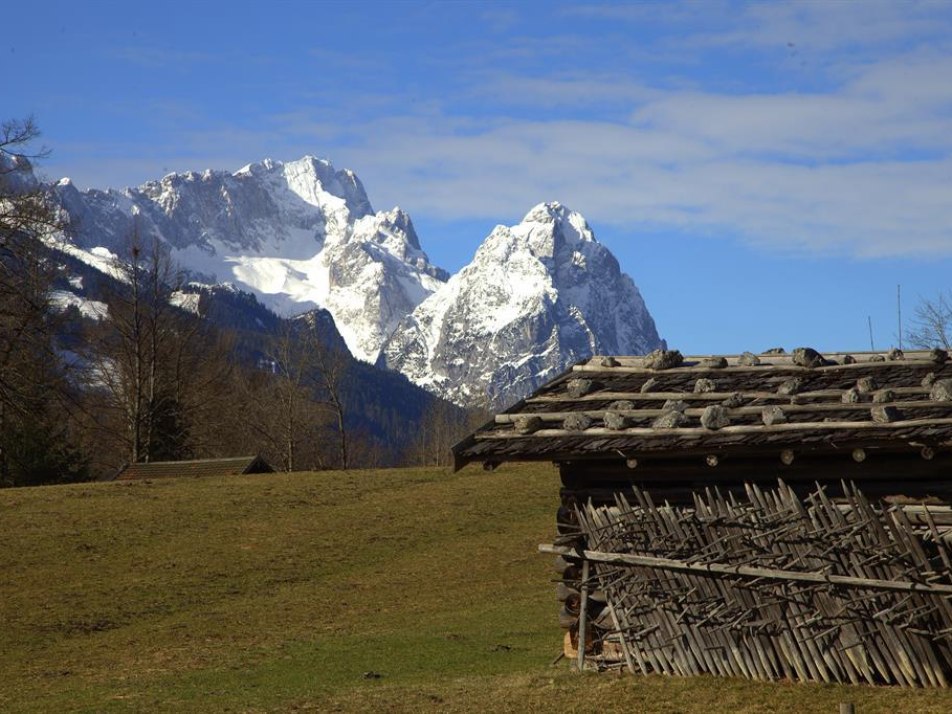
[[279, 592]]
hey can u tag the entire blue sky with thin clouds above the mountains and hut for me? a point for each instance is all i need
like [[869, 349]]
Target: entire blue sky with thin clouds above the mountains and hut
[[767, 173]]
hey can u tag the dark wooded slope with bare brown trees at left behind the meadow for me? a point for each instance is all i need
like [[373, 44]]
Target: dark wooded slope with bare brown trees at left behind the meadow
[[148, 368]]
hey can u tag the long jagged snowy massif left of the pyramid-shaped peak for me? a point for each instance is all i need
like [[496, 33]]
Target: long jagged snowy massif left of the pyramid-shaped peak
[[297, 234]]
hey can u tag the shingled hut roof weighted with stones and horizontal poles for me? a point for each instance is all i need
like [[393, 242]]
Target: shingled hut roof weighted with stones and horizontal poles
[[665, 405]]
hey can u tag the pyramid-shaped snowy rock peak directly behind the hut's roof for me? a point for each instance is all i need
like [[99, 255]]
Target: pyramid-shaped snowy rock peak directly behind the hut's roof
[[536, 298]]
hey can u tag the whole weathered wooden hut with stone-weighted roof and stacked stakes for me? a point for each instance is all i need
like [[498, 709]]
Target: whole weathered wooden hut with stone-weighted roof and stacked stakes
[[769, 516]]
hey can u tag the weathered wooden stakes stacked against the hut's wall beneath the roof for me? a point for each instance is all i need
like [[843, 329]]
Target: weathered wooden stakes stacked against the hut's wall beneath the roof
[[770, 586]]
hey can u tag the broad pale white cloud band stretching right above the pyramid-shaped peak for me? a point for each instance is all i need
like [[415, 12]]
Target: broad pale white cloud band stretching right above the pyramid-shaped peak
[[864, 170]]
